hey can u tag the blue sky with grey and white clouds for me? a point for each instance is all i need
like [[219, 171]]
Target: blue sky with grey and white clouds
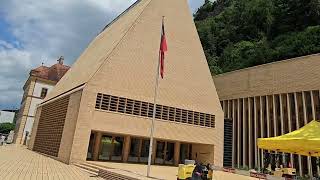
[[34, 32]]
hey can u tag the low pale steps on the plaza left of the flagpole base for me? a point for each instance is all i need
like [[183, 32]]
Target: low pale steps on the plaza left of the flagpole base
[[105, 173]]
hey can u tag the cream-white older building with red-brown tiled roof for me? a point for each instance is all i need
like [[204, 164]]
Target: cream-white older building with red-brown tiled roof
[[40, 82]]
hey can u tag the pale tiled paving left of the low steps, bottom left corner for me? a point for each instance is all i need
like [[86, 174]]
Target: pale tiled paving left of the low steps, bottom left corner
[[19, 163]]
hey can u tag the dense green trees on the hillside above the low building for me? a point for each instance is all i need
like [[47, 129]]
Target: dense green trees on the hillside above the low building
[[237, 34]]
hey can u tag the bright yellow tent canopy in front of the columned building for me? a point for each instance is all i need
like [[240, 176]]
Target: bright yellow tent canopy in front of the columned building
[[304, 141]]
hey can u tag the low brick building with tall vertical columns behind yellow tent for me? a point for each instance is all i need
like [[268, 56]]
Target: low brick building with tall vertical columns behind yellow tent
[[270, 100]]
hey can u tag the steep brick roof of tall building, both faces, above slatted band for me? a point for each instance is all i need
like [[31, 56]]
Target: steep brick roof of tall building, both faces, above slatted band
[[121, 61]]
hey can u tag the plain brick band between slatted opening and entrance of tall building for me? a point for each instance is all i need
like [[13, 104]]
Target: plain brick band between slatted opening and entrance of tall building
[[138, 126]]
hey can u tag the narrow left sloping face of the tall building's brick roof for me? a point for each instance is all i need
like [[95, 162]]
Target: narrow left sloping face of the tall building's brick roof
[[99, 50]]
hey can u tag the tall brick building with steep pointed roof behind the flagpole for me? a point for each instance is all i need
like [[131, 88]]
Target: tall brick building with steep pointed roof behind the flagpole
[[101, 109]]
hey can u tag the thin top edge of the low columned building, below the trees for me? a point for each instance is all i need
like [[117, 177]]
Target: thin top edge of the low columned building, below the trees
[[268, 64]]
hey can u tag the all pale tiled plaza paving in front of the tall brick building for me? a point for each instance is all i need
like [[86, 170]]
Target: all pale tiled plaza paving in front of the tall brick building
[[17, 162]]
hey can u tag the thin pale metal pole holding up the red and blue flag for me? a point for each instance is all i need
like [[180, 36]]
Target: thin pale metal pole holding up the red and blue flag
[[154, 114]]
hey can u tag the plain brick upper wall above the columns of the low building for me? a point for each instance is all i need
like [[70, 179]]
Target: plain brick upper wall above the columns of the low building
[[293, 75]]
